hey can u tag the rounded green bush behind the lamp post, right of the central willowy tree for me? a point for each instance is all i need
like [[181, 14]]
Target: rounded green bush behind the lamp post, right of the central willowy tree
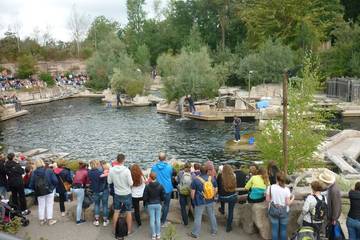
[[267, 64]]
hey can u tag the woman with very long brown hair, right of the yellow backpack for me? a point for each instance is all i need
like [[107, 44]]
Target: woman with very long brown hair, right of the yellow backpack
[[227, 194]]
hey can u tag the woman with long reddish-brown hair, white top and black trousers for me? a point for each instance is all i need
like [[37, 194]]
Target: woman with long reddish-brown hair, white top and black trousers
[[137, 190]]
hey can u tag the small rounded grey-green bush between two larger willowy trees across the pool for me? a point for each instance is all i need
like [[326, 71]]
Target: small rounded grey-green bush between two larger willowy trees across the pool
[[127, 78]]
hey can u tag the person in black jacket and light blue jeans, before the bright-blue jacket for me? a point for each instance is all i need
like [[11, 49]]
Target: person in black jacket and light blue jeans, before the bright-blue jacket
[[153, 196]]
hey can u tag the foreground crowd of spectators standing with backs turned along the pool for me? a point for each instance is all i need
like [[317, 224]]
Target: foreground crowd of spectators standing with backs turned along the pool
[[198, 186]]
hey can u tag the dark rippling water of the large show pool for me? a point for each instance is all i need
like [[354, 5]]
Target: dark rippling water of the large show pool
[[88, 130]]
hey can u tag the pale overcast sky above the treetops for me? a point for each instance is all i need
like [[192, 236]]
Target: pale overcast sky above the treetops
[[54, 14]]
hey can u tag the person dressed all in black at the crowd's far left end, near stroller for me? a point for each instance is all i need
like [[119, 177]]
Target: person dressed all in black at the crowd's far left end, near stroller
[[14, 174]]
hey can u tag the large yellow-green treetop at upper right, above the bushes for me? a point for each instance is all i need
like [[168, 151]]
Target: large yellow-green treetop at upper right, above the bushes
[[288, 20]]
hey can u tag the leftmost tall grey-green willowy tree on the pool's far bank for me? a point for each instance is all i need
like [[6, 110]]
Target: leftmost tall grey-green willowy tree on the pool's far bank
[[101, 65]]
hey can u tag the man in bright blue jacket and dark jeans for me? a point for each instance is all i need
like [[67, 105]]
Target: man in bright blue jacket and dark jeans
[[164, 172]]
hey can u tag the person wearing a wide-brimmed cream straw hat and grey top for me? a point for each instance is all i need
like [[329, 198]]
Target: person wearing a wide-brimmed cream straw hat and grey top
[[333, 197]]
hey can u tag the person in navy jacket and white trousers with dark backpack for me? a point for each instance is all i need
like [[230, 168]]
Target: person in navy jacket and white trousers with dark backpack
[[43, 181]]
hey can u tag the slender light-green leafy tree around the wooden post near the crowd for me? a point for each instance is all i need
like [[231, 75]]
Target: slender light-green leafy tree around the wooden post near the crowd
[[303, 119]]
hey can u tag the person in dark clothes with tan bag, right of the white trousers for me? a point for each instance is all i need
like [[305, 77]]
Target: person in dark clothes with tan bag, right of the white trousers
[[64, 178]]
